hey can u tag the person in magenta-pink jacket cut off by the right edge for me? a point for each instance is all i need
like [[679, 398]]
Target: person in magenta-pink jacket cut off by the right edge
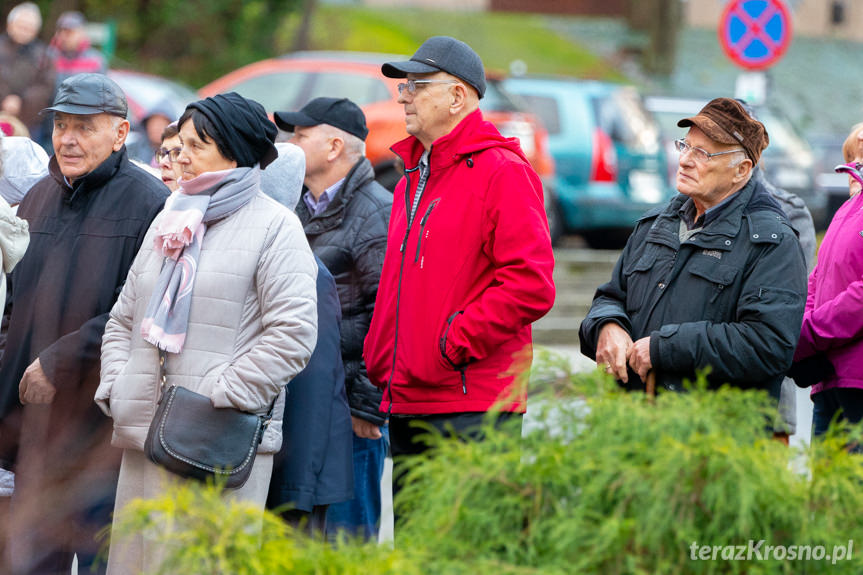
[[831, 338]]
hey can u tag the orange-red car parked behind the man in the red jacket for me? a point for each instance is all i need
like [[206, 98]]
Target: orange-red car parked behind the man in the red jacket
[[289, 82]]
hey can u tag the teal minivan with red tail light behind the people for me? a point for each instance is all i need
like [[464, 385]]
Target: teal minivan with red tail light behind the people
[[609, 158]]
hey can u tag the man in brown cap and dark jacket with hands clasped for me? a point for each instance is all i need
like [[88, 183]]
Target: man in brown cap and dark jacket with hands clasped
[[716, 278]]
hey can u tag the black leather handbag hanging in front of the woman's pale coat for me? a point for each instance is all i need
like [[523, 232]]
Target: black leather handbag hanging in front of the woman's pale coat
[[193, 439]]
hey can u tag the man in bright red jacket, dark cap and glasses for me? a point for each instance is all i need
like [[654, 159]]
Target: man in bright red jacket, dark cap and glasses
[[469, 262]]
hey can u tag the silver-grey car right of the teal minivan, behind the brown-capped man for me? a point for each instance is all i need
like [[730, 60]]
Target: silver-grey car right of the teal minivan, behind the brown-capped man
[[788, 162]]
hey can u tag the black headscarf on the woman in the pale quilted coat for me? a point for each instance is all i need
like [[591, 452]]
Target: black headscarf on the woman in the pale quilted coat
[[243, 127]]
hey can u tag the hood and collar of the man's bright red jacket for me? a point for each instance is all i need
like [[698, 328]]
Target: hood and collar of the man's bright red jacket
[[471, 135]]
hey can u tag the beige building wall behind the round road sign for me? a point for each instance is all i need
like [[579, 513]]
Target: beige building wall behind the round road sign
[[810, 18]]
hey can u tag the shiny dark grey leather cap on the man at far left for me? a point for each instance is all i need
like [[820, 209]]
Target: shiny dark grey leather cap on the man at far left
[[89, 94]]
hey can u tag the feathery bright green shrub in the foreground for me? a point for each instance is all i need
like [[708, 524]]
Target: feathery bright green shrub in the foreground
[[601, 482]]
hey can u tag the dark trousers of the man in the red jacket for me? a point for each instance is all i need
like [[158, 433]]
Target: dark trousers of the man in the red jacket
[[406, 441]]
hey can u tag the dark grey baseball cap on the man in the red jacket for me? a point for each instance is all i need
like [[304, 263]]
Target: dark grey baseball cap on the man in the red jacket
[[442, 53]]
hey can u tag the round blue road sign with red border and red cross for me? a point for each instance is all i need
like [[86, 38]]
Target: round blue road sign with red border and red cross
[[755, 33]]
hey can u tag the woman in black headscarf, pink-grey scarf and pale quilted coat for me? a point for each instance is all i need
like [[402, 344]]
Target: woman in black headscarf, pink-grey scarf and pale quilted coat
[[224, 290]]
